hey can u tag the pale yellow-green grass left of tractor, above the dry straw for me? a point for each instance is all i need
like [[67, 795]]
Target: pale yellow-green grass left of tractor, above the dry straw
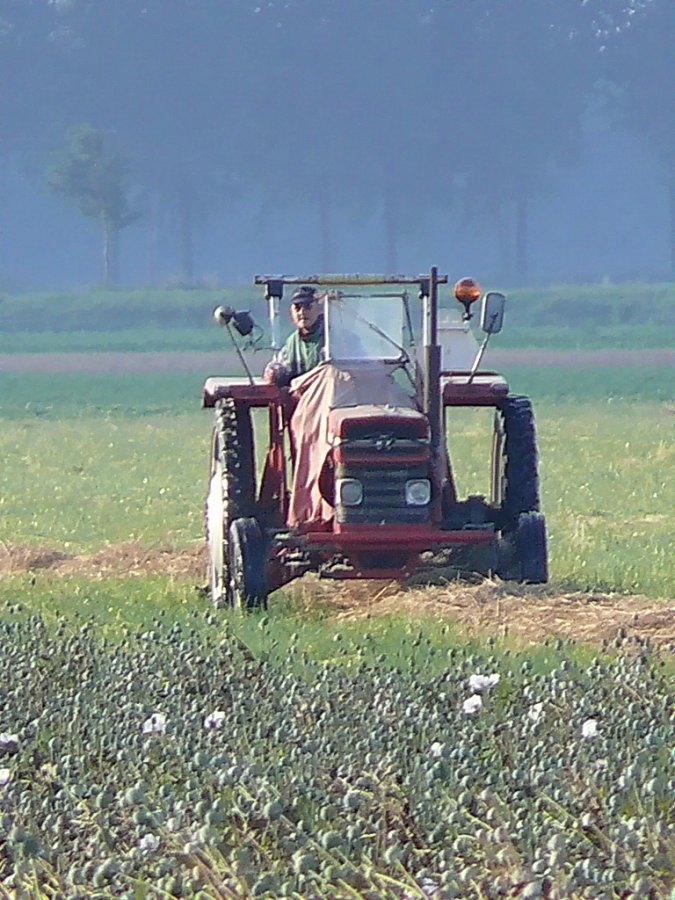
[[85, 483]]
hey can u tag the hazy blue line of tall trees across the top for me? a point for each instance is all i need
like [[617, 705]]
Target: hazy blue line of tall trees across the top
[[174, 111]]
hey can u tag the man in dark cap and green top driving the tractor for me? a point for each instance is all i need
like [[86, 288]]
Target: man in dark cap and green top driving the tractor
[[303, 349]]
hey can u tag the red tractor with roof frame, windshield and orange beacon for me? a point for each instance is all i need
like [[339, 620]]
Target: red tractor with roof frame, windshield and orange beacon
[[357, 479]]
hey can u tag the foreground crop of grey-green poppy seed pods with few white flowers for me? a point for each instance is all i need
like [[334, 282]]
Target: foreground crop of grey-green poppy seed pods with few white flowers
[[168, 760]]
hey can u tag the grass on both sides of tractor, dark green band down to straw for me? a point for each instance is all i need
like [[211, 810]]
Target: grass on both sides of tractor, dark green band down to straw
[[93, 461]]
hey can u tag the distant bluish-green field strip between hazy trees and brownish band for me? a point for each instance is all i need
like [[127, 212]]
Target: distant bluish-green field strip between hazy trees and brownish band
[[560, 317]]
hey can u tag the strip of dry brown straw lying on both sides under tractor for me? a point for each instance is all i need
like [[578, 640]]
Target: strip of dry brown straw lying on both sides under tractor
[[525, 614]]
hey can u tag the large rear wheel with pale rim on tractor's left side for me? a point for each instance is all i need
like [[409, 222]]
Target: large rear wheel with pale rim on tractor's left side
[[231, 492]]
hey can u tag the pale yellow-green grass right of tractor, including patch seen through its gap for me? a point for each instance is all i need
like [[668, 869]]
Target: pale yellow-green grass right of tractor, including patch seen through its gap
[[606, 491]]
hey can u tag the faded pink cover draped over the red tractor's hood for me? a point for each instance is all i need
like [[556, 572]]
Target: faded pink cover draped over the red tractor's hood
[[332, 402]]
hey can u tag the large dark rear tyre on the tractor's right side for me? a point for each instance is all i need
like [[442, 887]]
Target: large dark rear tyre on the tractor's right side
[[515, 478]]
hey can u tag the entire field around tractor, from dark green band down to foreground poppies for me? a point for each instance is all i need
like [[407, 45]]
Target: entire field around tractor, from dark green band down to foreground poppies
[[467, 740]]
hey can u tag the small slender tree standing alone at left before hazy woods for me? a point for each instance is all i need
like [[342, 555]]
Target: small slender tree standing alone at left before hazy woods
[[97, 181]]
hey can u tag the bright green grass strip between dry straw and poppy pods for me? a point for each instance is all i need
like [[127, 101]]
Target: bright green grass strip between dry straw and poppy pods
[[115, 606]]
